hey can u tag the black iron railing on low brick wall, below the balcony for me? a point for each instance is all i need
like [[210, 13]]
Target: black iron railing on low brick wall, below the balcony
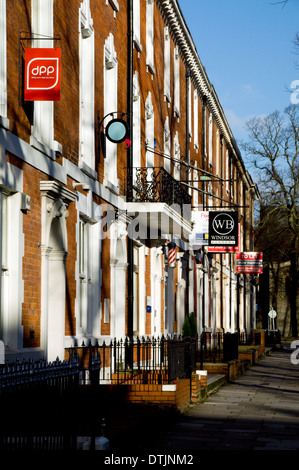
[[141, 360]]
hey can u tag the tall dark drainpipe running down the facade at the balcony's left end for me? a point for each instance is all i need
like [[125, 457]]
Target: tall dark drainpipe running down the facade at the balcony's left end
[[130, 165]]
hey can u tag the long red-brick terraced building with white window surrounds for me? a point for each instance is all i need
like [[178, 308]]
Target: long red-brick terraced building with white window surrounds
[[114, 147]]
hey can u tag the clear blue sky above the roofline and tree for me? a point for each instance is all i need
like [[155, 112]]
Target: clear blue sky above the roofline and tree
[[247, 49]]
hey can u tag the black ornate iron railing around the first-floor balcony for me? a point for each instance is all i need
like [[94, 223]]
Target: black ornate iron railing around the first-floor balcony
[[157, 185]]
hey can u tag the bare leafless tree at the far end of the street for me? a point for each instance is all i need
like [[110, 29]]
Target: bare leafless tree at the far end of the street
[[273, 150]]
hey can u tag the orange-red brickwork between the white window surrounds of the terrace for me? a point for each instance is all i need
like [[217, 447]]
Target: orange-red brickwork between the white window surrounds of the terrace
[[66, 132]]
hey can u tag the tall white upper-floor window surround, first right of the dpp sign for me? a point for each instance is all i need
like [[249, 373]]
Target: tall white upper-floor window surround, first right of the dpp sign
[[86, 90]]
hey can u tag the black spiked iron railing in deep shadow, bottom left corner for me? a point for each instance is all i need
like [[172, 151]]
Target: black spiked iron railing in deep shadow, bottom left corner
[[37, 400]]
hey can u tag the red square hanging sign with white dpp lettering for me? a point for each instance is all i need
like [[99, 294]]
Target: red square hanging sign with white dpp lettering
[[42, 74]]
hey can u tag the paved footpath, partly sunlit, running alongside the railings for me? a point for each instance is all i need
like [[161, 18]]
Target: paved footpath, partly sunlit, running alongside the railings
[[259, 410]]
